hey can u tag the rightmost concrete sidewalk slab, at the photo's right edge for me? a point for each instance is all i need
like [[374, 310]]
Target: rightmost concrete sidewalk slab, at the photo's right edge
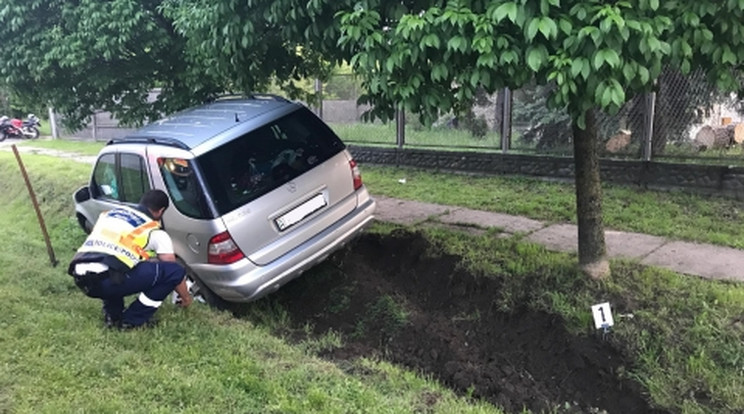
[[714, 262]]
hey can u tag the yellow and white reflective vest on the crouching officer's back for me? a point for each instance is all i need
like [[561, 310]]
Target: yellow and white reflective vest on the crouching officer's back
[[122, 233]]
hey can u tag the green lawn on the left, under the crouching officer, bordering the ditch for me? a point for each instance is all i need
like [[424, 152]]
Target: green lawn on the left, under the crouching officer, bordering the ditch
[[56, 357]]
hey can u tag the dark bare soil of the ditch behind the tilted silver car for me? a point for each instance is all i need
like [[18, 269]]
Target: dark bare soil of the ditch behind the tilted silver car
[[392, 301]]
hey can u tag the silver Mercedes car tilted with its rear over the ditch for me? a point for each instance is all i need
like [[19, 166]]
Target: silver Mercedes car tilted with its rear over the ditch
[[261, 190]]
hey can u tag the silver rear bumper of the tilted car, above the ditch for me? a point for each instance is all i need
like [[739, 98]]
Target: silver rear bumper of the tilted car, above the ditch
[[244, 281]]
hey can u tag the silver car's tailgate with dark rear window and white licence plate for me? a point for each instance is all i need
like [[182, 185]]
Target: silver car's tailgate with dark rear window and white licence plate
[[281, 184]]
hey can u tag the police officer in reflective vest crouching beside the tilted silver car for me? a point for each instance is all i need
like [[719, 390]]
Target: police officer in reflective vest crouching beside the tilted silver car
[[114, 263]]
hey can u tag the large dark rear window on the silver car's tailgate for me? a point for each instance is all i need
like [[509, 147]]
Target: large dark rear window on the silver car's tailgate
[[254, 164]]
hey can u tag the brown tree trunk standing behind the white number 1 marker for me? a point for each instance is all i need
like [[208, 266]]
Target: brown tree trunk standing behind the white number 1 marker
[[592, 249]]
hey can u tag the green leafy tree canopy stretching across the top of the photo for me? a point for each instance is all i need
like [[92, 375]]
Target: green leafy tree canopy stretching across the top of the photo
[[593, 51]]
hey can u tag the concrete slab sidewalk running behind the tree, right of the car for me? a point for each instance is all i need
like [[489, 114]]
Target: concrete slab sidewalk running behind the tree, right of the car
[[708, 261]]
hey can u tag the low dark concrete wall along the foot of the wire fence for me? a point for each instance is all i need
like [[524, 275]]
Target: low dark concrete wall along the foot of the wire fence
[[724, 180]]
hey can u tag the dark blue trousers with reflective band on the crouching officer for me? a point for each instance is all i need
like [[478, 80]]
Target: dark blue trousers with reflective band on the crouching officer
[[154, 281]]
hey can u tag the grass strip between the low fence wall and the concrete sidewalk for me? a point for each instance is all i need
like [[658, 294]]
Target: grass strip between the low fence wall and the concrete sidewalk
[[673, 214]]
